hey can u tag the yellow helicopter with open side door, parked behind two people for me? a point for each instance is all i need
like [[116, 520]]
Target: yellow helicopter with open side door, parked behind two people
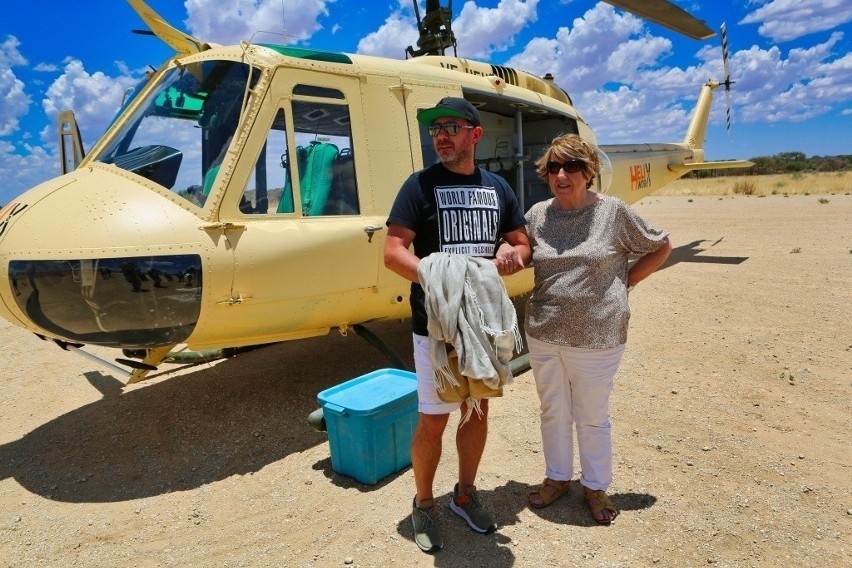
[[240, 195]]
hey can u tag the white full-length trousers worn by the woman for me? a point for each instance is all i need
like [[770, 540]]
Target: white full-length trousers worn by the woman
[[574, 386]]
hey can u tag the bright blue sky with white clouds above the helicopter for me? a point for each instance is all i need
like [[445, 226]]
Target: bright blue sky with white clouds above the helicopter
[[633, 81]]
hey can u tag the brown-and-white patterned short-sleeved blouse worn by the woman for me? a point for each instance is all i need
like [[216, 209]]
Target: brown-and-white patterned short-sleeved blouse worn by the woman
[[580, 258]]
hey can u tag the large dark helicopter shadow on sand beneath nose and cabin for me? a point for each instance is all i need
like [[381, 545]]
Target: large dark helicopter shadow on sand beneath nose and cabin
[[187, 431]]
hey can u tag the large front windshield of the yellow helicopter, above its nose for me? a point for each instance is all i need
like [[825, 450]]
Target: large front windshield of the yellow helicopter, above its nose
[[178, 135]]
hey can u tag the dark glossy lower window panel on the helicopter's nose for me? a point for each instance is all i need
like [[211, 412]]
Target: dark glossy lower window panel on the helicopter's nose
[[114, 302]]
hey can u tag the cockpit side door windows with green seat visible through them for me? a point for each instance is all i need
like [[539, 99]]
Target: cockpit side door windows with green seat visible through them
[[322, 158]]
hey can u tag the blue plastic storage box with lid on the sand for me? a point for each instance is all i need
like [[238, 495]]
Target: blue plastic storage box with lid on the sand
[[370, 421]]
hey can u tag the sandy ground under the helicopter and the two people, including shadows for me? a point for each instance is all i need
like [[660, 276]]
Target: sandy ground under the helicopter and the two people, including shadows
[[732, 417]]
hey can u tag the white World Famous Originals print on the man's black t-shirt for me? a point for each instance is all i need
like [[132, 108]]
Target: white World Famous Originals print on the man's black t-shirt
[[468, 219]]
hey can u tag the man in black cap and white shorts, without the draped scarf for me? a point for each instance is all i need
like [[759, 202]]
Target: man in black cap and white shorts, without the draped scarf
[[454, 207]]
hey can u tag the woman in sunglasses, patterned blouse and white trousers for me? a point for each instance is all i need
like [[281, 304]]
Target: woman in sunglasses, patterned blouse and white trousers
[[576, 317]]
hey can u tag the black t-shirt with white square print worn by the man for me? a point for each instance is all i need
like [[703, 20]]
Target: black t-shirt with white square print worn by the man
[[454, 213]]
